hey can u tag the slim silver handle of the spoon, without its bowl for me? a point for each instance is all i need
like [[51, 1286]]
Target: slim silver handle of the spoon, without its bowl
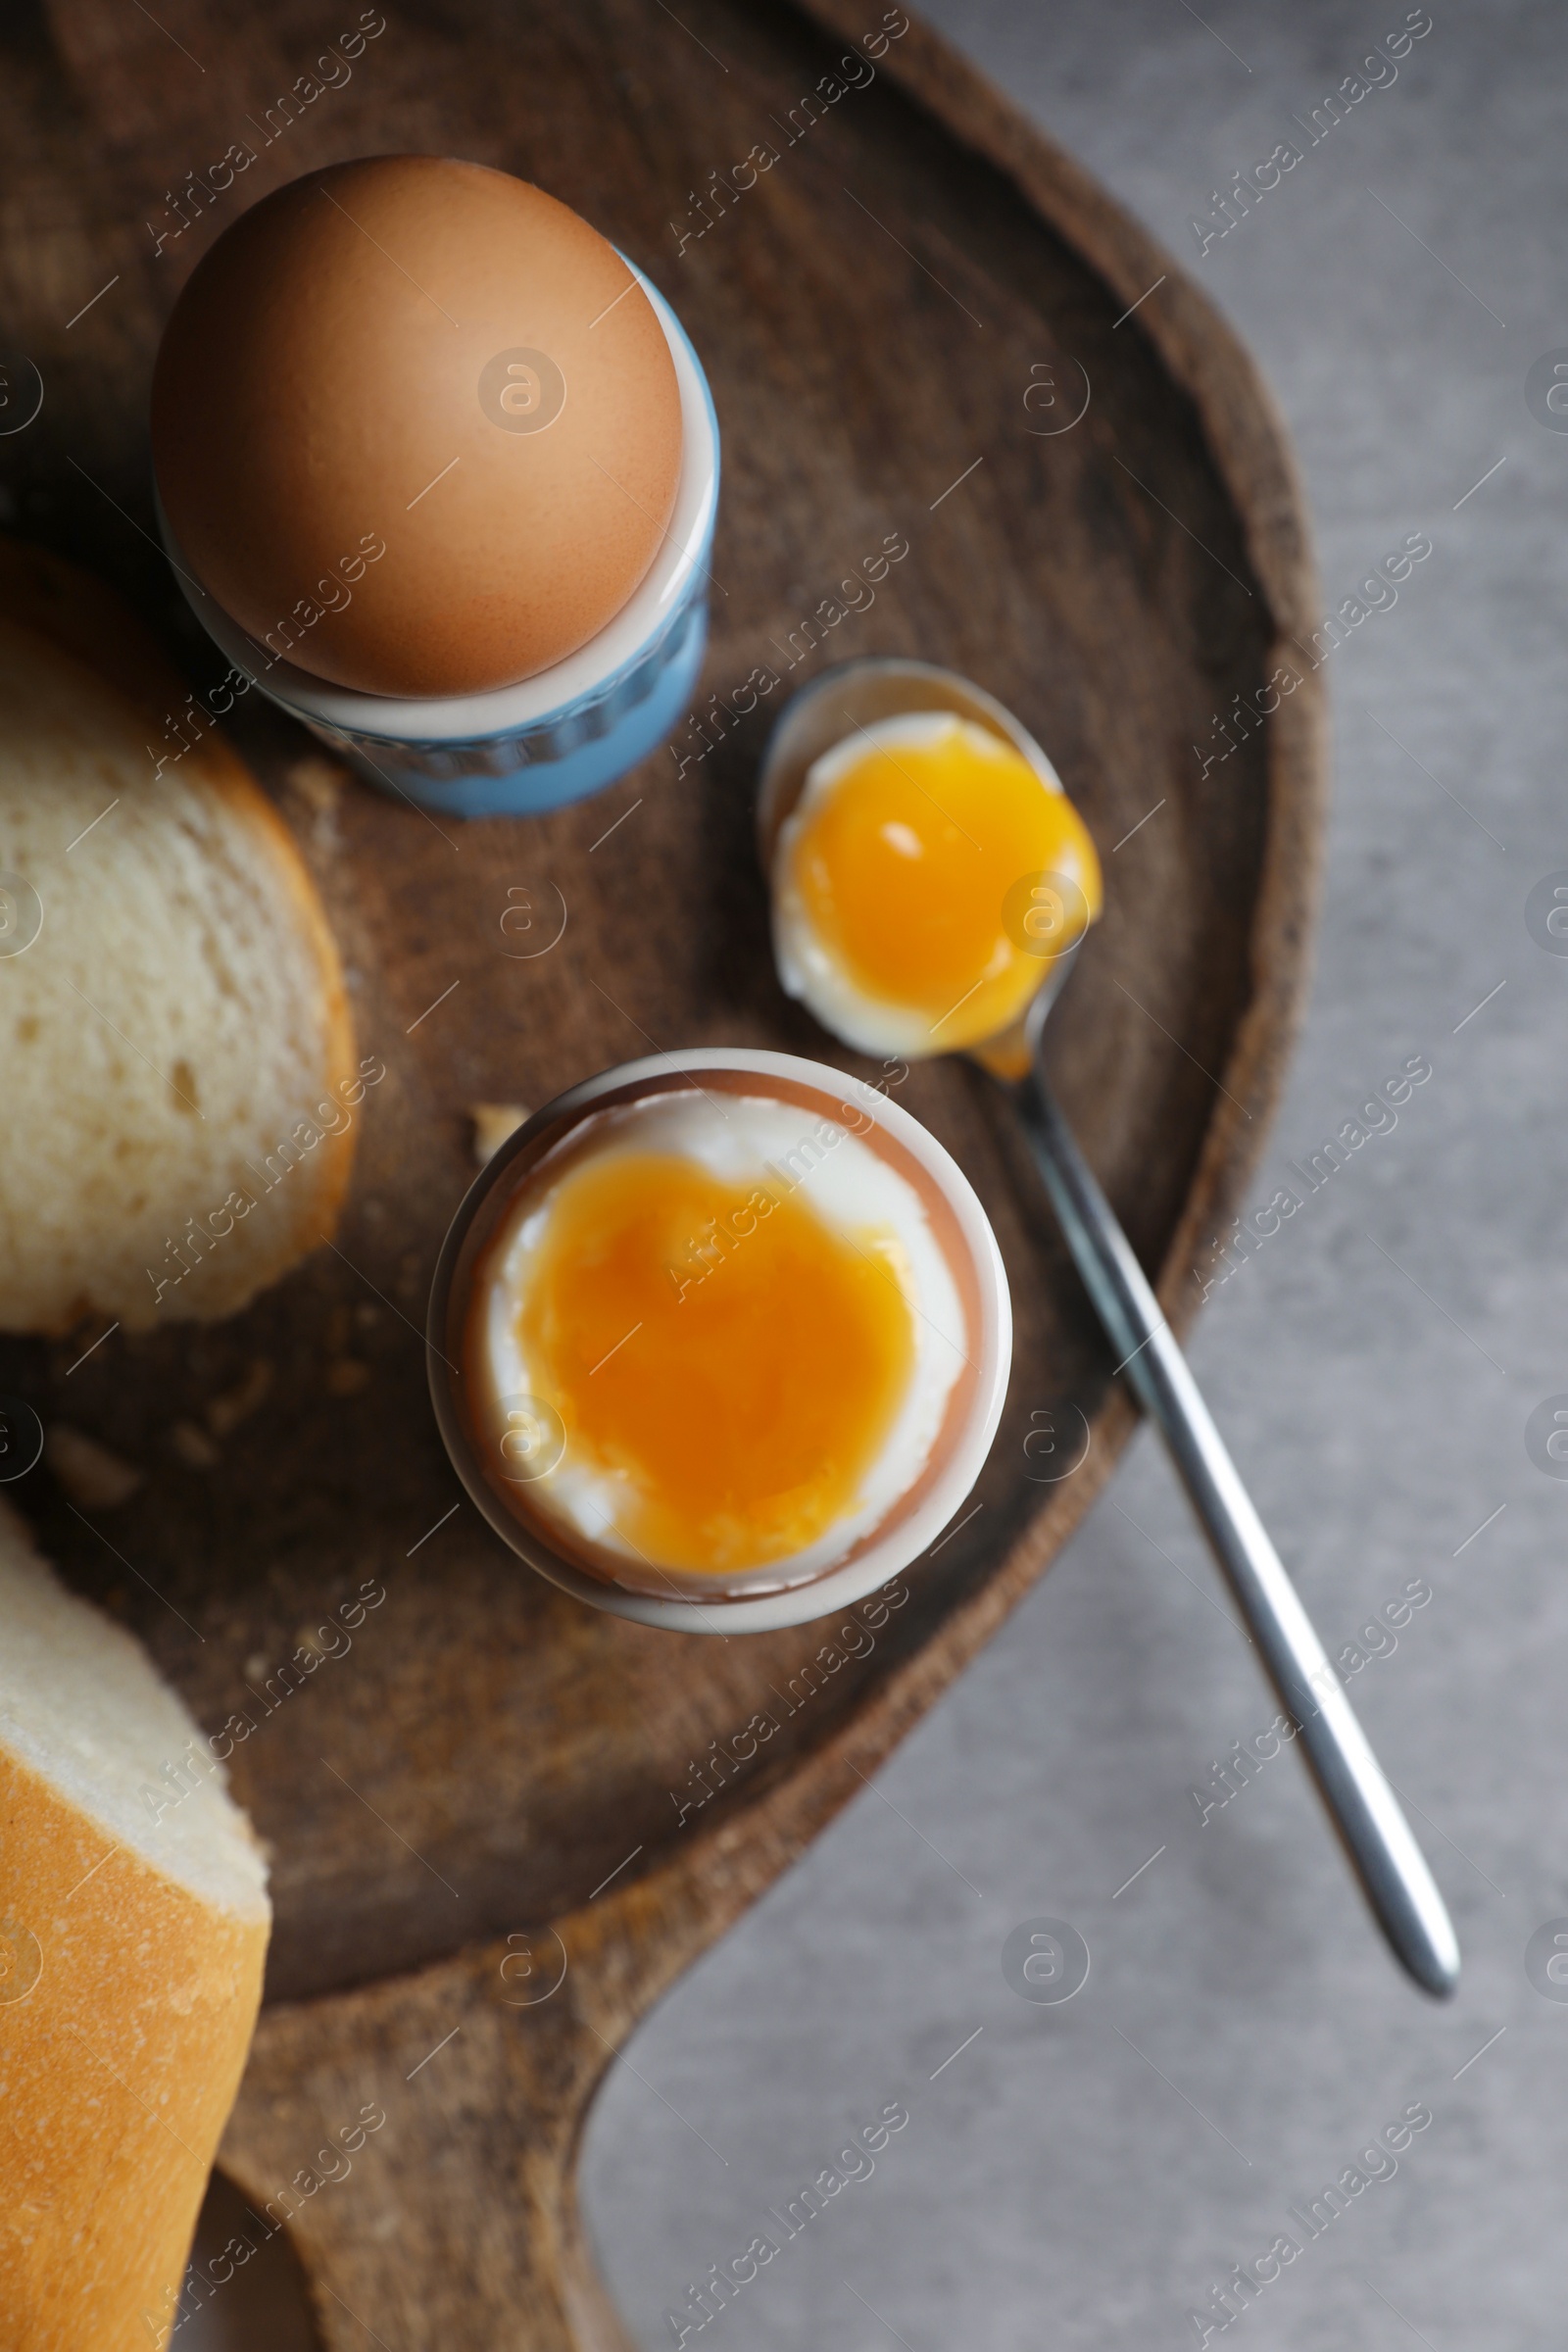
[[1360, 1800]]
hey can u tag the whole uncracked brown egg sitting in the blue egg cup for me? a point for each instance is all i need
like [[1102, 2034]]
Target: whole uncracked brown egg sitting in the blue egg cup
[[417, 427]]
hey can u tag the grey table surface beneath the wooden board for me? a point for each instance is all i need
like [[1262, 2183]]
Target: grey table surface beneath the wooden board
[[1087, 2174]]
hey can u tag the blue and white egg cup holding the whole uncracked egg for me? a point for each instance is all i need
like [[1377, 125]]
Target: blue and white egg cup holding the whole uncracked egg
[[568, 730]]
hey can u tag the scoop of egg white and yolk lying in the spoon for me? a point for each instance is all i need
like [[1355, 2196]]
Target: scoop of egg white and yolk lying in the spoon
[[927, 867]]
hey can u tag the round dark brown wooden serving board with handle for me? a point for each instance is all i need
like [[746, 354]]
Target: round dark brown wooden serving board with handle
[[894, 319]]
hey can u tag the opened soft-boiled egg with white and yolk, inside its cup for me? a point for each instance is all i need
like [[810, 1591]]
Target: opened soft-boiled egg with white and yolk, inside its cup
[[742, 1325]]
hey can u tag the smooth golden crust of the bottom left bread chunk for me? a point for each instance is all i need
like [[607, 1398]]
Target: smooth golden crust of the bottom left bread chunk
[[126, 2017]]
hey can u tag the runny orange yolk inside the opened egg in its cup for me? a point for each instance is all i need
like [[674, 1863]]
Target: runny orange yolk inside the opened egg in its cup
[[718, 1354]]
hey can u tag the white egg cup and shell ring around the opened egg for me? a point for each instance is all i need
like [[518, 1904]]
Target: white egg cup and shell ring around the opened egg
[[692, 1603]]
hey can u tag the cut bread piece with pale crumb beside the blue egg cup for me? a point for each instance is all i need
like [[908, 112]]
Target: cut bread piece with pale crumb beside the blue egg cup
[[177, 1057]]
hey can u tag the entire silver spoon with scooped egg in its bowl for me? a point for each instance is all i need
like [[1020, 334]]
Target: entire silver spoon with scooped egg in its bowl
[[932, 888]]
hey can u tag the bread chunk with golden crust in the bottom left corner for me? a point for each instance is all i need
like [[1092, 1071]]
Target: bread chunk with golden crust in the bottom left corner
[[133, 1937]]
